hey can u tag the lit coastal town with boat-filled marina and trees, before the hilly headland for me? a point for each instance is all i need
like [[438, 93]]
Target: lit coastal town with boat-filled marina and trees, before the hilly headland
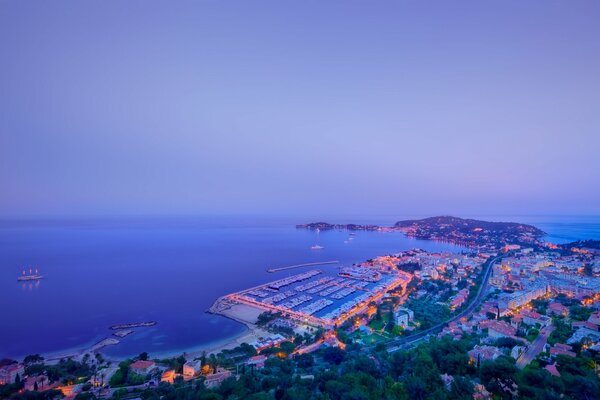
[[491, 319]]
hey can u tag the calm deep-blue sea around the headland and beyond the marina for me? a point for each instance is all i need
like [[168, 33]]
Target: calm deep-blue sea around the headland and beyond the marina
[[102, 272]]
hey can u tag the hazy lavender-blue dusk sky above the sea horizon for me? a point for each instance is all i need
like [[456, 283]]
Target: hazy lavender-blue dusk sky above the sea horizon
[[299, 108]]
